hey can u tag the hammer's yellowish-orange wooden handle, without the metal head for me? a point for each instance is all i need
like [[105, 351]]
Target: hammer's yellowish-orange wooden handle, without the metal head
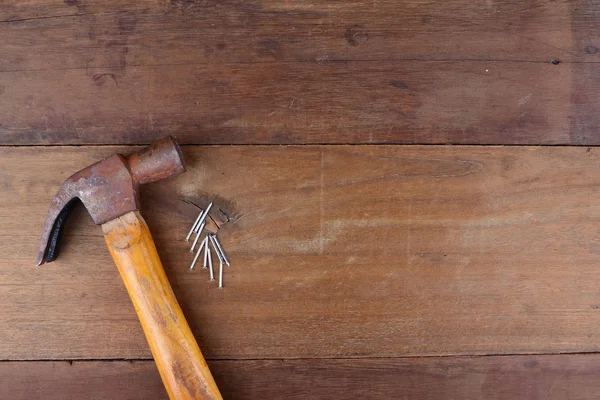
[[178, 358]]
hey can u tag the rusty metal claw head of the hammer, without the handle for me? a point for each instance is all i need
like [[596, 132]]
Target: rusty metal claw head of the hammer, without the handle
[[108, 189]]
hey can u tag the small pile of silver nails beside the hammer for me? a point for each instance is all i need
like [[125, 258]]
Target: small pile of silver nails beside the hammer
[[210, 239]]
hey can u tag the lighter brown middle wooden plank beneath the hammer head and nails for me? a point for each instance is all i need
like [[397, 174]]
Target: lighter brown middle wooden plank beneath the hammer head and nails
[[337, 251]]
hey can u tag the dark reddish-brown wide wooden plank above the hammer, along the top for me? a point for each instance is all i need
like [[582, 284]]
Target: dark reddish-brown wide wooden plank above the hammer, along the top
[[470, 72]]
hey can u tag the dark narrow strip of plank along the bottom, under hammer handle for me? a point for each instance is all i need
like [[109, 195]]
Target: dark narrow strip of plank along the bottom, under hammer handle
[[464, 378]]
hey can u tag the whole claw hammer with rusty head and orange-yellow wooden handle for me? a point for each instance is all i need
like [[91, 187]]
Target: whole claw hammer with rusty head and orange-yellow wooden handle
[[109, 191]]
